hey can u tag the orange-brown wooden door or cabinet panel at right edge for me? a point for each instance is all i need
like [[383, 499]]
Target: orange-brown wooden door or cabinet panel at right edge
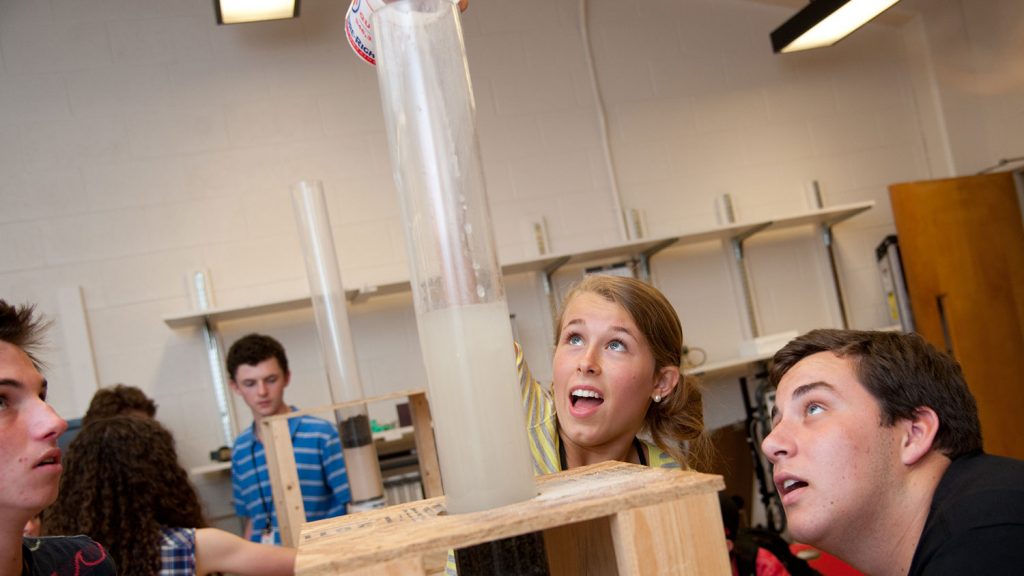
[[963, 248]]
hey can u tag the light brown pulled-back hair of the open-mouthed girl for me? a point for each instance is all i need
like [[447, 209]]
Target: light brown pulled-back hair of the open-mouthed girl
[[676, 425]]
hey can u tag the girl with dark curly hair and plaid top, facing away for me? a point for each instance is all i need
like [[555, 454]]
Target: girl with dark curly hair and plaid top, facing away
[[124, 487]]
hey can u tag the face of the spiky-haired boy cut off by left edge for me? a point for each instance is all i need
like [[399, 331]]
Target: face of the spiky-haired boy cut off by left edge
[[30, 460]]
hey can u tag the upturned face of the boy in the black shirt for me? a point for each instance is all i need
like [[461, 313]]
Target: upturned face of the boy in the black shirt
[[835, 464]]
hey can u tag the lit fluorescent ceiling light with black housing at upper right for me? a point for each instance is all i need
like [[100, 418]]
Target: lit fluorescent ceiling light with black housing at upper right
[[823, 23]]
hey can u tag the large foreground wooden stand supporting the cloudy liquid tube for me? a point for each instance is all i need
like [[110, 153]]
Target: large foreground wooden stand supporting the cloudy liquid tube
[[608, 519]]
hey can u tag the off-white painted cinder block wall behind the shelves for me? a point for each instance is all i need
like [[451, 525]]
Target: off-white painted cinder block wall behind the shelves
[[140, 142]]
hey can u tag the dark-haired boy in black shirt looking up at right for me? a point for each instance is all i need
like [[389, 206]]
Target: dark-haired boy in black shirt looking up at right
[[877, 452]]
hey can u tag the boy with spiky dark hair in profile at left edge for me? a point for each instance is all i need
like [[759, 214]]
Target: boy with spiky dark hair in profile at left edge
[[30, 460]]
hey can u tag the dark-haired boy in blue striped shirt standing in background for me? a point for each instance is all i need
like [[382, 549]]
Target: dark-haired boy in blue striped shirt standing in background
[[259, 371]]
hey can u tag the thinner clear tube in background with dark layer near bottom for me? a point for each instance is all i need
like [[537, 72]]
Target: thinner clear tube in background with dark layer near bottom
[[331, 311]]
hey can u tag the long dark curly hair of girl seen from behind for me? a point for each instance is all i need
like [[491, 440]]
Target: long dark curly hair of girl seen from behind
[[121, 485]]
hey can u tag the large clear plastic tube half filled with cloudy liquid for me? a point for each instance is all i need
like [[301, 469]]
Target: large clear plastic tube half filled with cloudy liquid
[[462, 313]]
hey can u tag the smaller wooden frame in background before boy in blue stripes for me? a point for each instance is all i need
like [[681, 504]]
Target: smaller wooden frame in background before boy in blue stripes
[[285, 478]]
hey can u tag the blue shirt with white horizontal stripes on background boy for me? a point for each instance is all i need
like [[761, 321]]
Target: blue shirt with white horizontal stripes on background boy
[[321, 467]]
